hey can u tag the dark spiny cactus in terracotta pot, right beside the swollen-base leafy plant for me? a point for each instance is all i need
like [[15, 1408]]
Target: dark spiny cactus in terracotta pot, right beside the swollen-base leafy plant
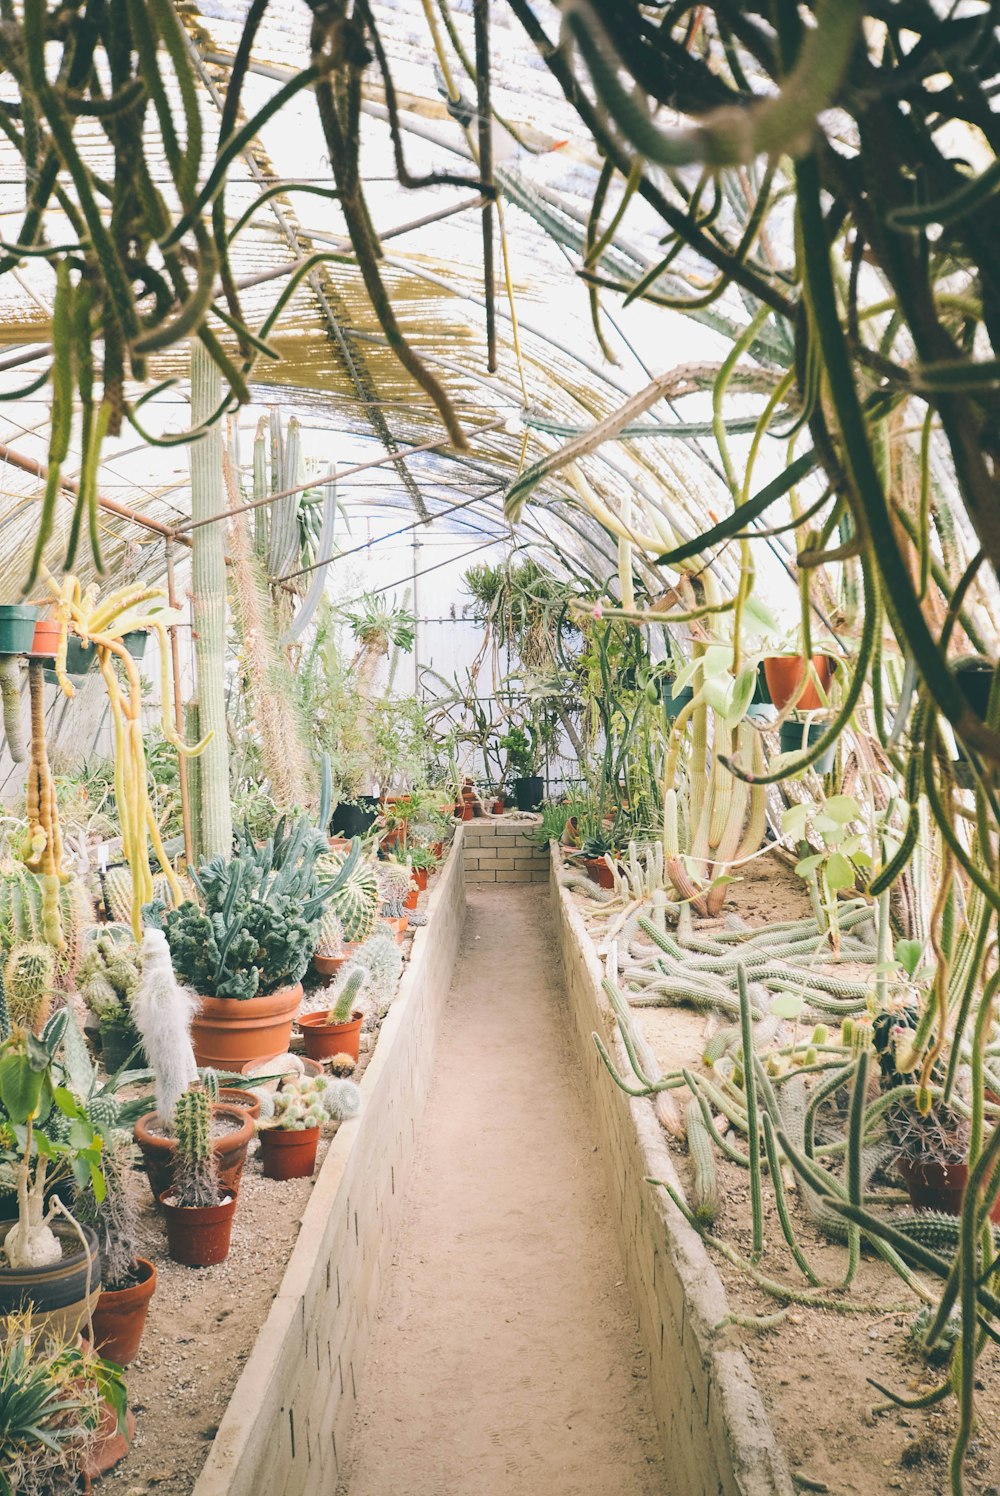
[[128, 1281]]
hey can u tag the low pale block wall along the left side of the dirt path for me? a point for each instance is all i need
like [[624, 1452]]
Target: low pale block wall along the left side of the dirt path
[[287, 1425]]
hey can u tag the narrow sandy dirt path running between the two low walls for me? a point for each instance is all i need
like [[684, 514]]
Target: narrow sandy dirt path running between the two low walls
[[507, 1359]]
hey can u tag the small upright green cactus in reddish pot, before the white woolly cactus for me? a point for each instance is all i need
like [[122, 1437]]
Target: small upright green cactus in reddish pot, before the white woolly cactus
[[198, 1211]]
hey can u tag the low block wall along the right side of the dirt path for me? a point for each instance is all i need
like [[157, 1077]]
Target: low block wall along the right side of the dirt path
[[709, 1408]]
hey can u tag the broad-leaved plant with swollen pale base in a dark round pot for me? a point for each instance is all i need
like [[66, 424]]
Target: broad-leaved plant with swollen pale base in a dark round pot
[[43, 1262]]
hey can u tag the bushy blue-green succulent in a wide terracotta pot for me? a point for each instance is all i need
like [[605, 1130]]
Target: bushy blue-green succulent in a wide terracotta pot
[[245, 948]]
